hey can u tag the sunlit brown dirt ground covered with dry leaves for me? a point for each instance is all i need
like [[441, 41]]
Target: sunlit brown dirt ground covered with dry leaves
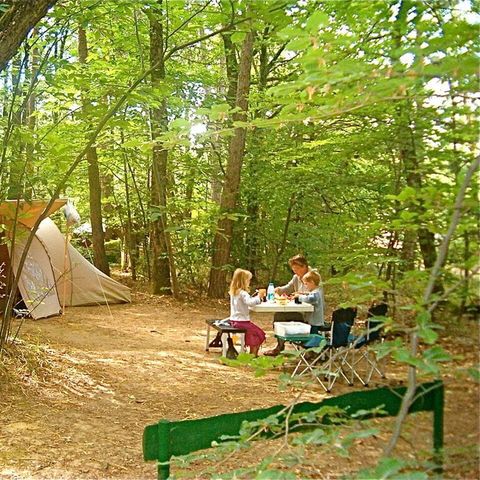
[[112, 371]]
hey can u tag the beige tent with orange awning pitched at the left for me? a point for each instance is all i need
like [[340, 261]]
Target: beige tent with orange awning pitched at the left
[[54, 273]]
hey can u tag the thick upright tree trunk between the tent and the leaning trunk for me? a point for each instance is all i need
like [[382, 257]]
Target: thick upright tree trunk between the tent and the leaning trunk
[[164, 279]]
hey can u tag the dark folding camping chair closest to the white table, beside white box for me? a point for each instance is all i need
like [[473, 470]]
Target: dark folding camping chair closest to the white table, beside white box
[[332, 359]]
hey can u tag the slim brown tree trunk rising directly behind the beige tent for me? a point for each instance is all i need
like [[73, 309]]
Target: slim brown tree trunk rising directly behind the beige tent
[[95, 190]]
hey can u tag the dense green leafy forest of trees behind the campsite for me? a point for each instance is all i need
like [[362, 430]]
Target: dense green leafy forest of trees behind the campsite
[[198, 136]]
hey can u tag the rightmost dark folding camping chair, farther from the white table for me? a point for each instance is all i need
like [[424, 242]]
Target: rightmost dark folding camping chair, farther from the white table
[[362, 344]]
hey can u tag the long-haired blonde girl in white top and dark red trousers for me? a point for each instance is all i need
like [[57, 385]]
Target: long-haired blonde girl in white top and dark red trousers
[[240, 300]]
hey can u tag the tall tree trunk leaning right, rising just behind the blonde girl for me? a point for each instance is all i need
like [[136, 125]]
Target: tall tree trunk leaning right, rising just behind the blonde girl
[[223, 238]]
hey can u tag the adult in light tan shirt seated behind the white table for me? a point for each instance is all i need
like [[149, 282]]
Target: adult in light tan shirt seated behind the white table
[[299, 266]]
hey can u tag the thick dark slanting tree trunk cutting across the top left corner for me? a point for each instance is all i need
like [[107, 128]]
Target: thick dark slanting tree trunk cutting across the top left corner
[[16, 22]]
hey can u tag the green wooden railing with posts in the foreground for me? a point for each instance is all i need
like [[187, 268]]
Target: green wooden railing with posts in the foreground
[[166, 438]]
